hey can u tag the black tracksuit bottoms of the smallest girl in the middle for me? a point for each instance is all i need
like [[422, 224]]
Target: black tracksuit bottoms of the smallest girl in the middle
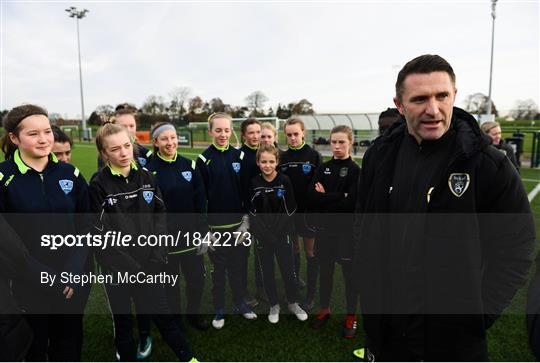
[[283, 250]]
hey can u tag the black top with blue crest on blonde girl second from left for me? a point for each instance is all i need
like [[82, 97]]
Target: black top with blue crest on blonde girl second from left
[[134, 206]]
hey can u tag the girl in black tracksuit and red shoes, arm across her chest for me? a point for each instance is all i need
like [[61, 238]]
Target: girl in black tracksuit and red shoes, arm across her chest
[[332, 196]]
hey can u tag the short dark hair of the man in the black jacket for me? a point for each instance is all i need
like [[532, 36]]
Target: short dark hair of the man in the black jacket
[[423, 64]]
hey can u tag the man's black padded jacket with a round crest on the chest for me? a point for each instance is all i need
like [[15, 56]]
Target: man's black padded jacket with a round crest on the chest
[[471, 255]]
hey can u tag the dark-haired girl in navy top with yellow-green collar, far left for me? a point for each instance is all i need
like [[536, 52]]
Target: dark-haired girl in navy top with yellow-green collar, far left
[[32, 182]]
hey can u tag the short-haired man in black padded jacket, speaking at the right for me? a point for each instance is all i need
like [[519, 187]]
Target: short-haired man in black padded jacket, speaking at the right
[[443, 231]]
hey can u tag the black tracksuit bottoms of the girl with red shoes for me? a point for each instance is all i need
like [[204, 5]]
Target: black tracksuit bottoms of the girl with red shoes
[[328, 254]]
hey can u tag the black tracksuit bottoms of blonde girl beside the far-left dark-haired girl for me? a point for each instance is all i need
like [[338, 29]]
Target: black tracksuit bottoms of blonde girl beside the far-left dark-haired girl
[[149, 299]]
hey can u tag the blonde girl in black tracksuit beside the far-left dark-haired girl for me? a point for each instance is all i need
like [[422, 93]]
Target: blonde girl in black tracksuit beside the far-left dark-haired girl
[[125, 198]]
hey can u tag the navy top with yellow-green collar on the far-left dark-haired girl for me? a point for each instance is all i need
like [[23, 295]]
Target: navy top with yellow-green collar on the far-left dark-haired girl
[[53, 201]]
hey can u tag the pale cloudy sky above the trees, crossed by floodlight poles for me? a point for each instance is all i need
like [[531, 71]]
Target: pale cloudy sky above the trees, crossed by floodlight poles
[[342, 56]]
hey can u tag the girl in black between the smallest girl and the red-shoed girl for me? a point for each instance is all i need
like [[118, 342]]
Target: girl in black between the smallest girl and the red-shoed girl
[[299, 163]]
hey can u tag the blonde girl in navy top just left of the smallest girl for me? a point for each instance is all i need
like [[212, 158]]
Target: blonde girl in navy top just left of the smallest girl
[[221, 168]]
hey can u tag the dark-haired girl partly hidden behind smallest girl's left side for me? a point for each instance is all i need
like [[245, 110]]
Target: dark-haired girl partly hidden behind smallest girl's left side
[[251, 134]]
